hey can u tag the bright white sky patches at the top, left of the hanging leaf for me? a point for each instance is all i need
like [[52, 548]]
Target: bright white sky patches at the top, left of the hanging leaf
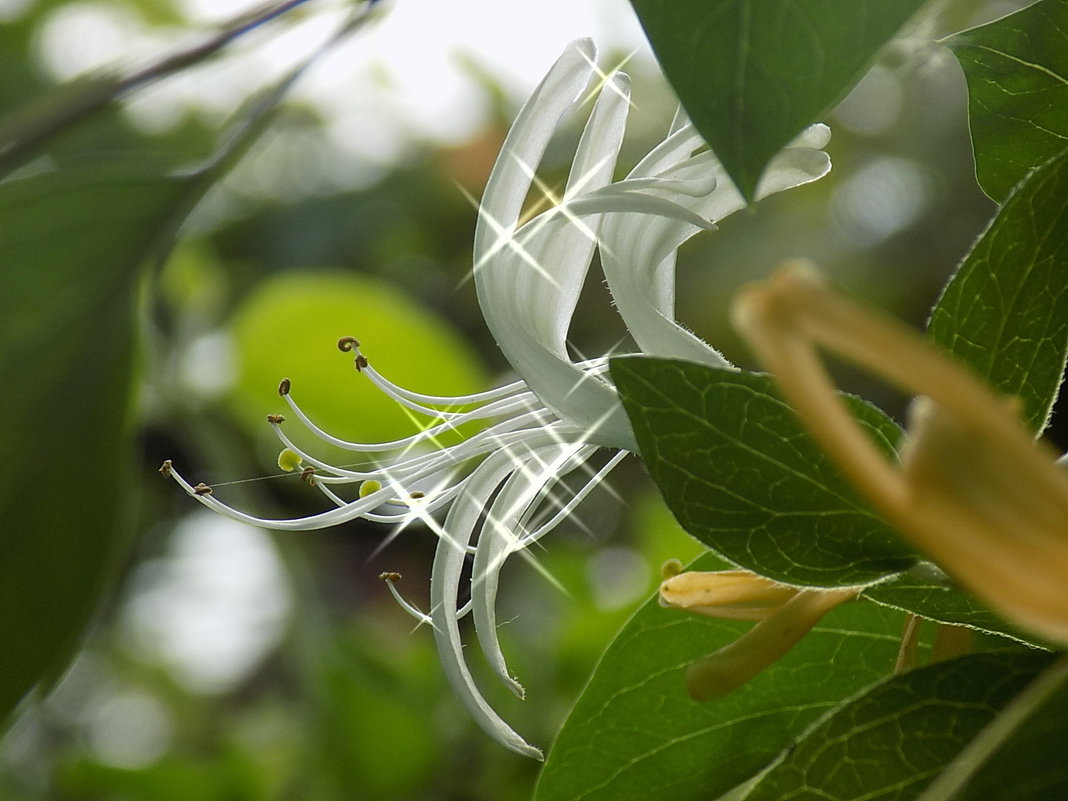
[[411, 76]]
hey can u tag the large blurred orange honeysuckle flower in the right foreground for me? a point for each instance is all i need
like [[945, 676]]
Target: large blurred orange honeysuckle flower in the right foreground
[[972, 488]]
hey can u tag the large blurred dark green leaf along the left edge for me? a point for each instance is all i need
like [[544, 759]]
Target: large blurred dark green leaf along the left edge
[[72, 243]]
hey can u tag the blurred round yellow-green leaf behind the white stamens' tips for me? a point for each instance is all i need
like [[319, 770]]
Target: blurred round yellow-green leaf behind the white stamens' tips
[[290, 328]]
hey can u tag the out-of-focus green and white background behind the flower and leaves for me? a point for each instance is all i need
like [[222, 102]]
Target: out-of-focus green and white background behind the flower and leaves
[[235, 664]]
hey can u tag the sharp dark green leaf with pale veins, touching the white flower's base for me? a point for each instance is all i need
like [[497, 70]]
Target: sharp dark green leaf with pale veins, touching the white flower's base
[[741, 475]]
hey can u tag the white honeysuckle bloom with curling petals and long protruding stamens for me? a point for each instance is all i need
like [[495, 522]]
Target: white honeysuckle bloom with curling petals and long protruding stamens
[[551, 422]]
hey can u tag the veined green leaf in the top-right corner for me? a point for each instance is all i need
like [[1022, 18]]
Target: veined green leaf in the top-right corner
[[1017, 73]]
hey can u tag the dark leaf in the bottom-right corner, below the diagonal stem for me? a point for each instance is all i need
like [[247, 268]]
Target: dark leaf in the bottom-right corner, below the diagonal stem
[[1020, 757]]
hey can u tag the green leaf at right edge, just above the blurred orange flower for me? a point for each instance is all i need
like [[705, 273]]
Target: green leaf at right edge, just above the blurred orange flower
[[1006, 311]]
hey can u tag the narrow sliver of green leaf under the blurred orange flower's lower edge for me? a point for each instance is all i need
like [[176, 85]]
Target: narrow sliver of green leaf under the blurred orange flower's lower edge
[[926, 592]]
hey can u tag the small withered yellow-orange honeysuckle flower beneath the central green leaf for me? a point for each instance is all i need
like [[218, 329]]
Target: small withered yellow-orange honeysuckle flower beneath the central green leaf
[[784, 615]]
